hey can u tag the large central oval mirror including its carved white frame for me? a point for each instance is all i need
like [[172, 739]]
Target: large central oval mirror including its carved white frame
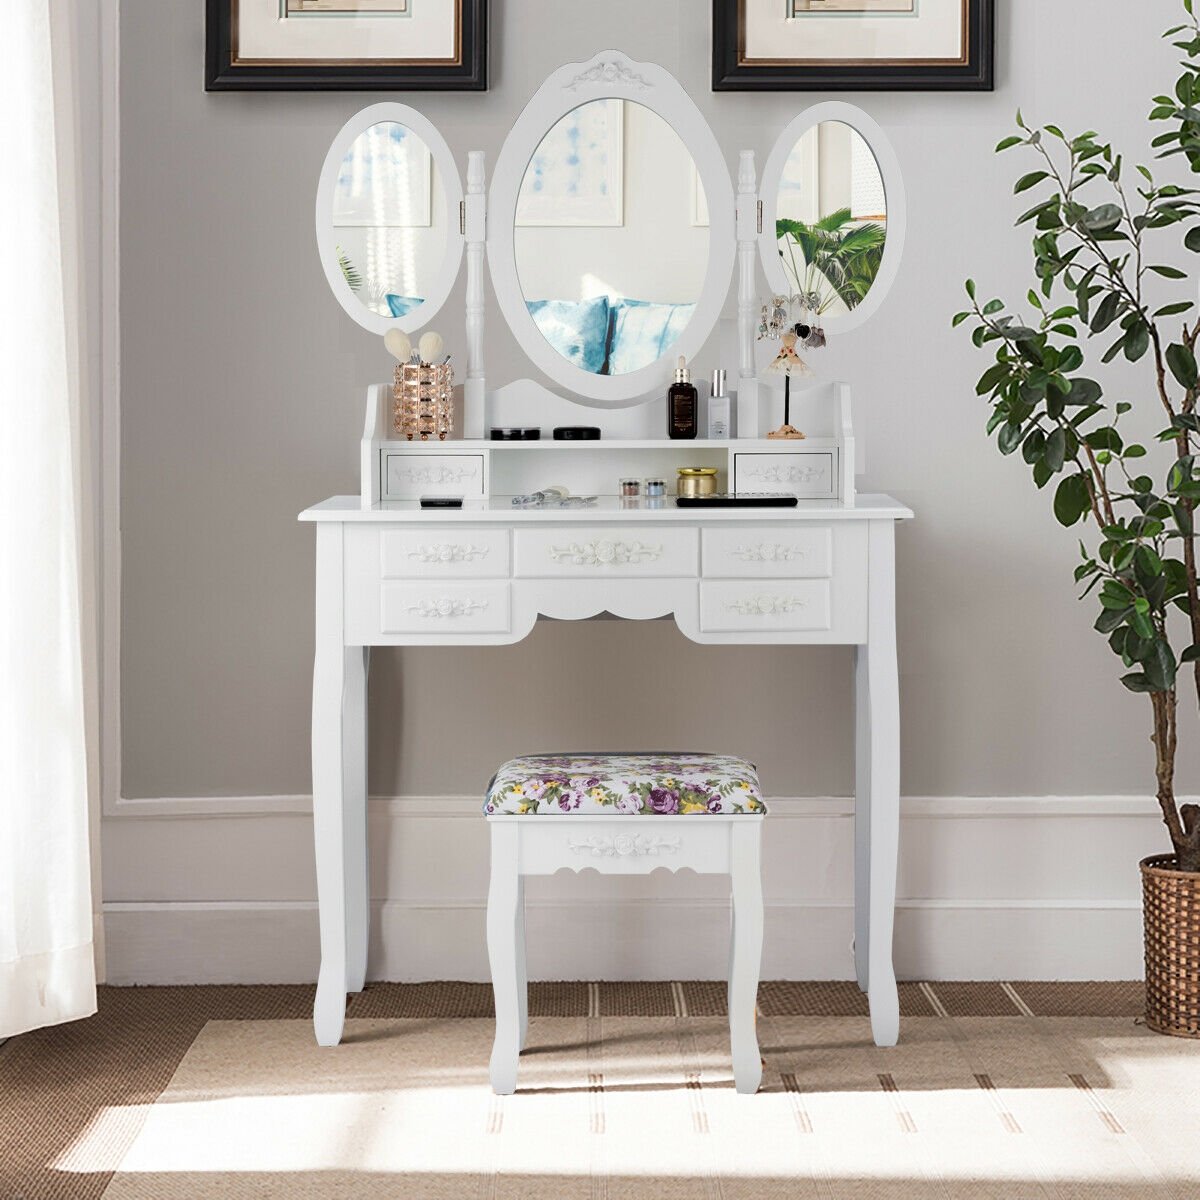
[[611, 230]]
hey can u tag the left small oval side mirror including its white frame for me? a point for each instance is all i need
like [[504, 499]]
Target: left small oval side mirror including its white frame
[[388, 219]]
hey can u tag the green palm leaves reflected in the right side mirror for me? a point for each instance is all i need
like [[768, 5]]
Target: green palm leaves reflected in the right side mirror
[[833, 259]]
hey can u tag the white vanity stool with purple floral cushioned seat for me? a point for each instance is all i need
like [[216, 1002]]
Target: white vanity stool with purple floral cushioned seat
[[623, 815]]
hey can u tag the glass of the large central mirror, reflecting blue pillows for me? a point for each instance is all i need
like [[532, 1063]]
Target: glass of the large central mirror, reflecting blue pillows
[[610, 254]]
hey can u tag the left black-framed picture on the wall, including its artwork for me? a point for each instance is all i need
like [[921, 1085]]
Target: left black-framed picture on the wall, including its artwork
[[346, 45]]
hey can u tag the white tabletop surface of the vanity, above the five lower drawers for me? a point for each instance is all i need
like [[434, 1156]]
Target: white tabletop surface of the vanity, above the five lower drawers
[[500, 509]]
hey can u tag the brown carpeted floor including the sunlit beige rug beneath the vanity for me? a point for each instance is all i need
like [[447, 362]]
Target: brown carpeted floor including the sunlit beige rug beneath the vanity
[[997, 1090]]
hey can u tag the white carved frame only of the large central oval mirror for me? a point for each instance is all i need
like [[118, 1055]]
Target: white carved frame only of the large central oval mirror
[[610, 76]]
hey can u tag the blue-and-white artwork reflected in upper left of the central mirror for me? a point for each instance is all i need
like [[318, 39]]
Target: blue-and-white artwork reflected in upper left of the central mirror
[[578, 173]]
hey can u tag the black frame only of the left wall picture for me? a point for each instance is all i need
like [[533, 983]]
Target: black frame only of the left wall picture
[[223, 74]]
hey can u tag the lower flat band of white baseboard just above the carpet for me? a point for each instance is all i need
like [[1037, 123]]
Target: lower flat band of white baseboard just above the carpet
[[265, 943]]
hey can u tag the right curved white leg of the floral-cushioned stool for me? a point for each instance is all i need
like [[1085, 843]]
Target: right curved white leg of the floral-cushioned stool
[[747, 955]]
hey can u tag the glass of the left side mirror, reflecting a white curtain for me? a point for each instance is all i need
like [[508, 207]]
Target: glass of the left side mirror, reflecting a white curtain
[[389, 221]]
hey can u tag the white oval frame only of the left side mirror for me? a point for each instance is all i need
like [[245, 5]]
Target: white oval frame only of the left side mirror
[[452, 184]]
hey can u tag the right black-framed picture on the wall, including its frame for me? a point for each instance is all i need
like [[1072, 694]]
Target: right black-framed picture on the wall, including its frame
[[854, 45]]
